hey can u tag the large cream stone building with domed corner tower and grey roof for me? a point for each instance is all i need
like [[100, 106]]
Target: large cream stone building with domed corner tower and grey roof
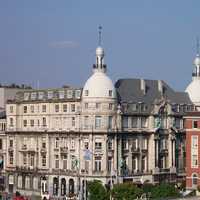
[[57, 139]]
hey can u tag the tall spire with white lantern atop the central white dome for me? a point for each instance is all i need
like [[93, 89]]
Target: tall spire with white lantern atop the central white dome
[[99, 66]]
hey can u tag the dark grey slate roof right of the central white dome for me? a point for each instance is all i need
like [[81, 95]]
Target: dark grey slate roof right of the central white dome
[[129, 90]]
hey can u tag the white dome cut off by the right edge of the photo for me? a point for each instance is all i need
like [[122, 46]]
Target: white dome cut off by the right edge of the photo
[[193, 90]]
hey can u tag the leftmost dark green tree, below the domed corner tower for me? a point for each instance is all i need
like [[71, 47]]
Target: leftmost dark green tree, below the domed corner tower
[[97, 191]]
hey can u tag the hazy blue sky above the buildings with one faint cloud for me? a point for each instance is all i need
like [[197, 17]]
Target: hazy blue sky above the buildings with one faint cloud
[[53, 42]]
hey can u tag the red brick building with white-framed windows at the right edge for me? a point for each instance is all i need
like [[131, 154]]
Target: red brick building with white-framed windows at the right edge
[[192, 126]]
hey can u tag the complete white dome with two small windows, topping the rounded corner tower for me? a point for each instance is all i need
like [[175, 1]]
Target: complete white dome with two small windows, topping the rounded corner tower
[[99, 85]]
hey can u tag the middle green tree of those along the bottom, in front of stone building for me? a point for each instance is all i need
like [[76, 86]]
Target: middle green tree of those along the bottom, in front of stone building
[[125, 191]]
